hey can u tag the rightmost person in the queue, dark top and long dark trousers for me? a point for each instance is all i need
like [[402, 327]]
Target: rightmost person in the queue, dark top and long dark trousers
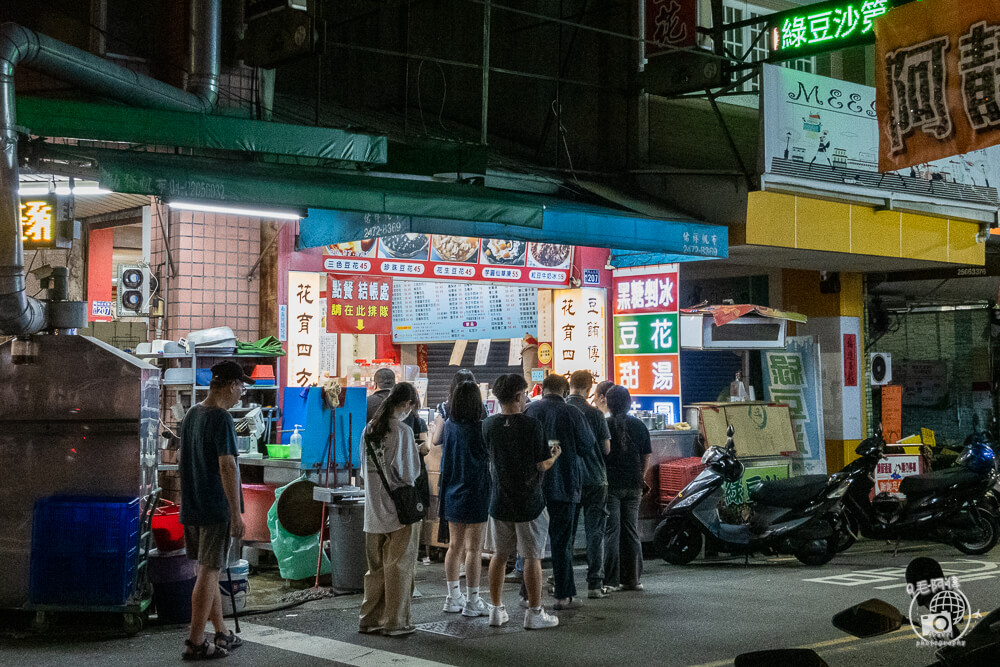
[[626, 465]]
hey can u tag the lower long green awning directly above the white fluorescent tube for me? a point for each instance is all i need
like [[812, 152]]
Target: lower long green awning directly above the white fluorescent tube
[[174, 177]]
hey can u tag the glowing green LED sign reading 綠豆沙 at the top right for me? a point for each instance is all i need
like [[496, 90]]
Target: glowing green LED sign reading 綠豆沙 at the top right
[[825, 26]]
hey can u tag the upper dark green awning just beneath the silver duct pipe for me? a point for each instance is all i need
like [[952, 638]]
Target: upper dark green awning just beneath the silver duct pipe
[[106, 122]]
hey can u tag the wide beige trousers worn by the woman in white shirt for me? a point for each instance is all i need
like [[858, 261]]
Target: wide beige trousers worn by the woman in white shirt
[[392, 559]]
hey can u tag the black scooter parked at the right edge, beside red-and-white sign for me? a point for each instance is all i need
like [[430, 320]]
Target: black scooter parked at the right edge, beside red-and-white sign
[[955, 506]]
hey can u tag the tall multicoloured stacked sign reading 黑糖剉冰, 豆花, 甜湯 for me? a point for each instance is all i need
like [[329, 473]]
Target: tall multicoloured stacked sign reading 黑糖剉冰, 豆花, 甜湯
[[647, 338]]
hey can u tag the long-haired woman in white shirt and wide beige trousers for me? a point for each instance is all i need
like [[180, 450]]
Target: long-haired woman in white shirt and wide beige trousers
[[390, 547]]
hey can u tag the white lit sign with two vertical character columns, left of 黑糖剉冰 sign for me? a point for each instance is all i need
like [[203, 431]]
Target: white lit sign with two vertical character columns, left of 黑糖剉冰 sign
[[580, 343]]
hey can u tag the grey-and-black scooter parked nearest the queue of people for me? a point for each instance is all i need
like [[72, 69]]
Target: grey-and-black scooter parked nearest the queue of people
[[799, 516]]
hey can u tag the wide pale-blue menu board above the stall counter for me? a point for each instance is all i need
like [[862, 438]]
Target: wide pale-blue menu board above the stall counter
[[424, 312]]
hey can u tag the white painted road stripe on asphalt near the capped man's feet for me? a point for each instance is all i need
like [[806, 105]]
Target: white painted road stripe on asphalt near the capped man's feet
[[329, 649]]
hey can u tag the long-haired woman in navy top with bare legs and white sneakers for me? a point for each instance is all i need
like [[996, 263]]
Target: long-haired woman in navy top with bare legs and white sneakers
[[464, 497]]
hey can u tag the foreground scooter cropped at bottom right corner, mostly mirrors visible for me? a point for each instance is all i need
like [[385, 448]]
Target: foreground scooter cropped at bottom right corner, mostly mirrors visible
[[961, 644]]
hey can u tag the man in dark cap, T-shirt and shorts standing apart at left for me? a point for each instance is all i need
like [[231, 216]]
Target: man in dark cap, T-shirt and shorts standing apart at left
[[211, 504]]
